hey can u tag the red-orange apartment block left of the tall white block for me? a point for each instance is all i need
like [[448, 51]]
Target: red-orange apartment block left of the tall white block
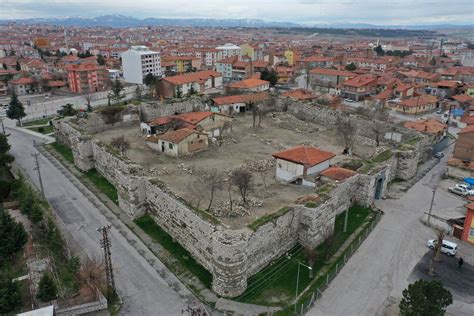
[[83, 78]]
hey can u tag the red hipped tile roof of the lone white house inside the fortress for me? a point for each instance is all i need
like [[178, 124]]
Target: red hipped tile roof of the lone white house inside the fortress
[[304, 155]]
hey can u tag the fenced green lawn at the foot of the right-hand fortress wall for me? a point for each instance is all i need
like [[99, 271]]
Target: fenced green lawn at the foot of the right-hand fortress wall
[[276, 283]]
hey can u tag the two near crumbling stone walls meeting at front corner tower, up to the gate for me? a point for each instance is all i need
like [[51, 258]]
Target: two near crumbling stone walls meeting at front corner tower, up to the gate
[[232, 256]]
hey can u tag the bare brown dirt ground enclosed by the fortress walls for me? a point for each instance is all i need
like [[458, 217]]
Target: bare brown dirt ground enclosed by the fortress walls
[[245, 145]]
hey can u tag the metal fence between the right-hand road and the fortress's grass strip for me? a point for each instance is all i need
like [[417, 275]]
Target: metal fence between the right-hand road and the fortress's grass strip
[[308, 301]]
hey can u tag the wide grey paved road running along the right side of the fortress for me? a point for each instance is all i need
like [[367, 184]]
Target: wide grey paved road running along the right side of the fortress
[[380, 269]]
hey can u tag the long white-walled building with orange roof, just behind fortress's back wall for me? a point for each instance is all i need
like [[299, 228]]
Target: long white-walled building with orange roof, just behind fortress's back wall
[[200, 82]]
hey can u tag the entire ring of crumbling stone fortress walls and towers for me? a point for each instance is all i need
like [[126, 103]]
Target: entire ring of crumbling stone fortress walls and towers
[[233, 255]]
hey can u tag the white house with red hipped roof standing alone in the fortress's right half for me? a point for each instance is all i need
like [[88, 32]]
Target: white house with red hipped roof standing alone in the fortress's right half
[[298, 163]]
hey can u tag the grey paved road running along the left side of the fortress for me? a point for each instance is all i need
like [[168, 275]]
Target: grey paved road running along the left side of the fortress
[[143, 290]]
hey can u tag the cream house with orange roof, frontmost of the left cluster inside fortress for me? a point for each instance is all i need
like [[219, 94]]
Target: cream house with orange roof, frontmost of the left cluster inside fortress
[[178, 143]]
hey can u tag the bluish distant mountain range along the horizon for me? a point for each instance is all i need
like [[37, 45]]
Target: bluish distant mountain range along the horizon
[[121, 21]]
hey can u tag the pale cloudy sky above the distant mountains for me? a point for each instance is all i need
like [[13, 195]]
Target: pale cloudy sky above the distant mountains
[[302, 11]]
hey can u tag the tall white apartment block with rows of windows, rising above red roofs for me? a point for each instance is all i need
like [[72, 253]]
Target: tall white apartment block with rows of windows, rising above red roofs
[[139, 61]]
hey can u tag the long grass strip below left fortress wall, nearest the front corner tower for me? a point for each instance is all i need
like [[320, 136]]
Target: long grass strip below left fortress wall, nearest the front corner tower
[[149, 226]]
